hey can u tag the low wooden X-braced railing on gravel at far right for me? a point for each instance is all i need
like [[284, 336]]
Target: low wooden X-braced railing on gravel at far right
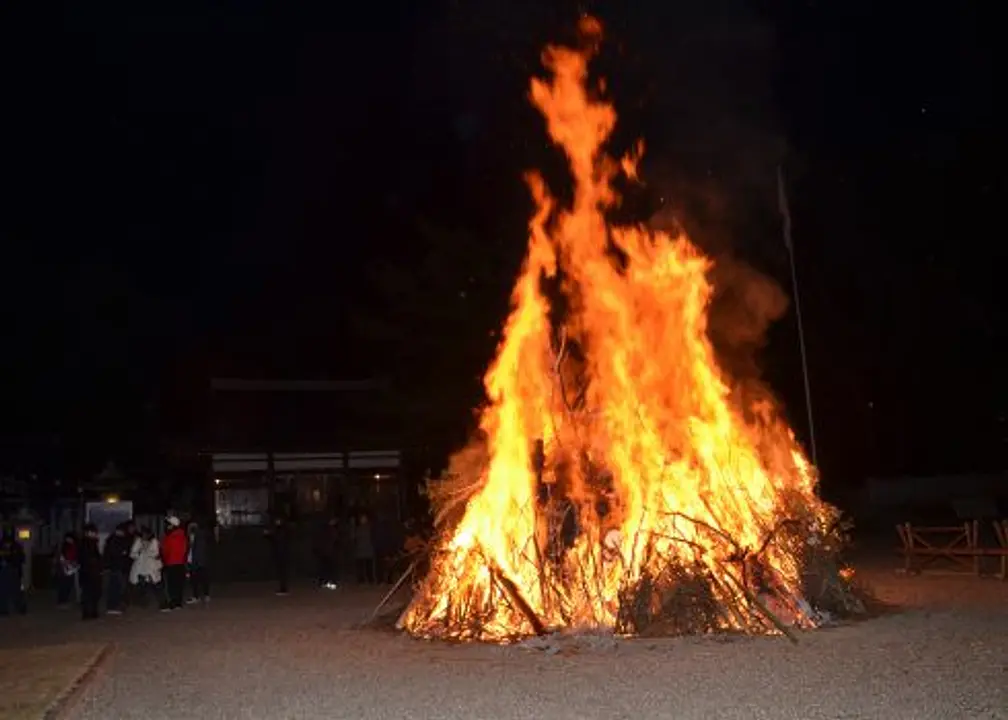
[[960, 545]]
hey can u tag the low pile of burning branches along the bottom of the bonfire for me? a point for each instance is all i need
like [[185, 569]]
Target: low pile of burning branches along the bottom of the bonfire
[[683, 593]]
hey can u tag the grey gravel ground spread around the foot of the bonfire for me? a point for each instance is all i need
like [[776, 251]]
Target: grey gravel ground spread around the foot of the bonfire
[[253, 656]]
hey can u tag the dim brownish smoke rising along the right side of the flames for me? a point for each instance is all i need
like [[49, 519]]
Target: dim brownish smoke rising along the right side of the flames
[[715, 140]]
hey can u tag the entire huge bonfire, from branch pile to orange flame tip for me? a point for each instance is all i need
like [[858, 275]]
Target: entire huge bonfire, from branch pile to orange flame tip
[[618, 484]]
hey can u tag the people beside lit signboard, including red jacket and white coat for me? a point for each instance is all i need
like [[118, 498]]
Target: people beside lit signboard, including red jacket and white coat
[[134, 567]]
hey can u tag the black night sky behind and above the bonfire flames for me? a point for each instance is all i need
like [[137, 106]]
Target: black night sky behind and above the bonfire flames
[[243, 191]]
